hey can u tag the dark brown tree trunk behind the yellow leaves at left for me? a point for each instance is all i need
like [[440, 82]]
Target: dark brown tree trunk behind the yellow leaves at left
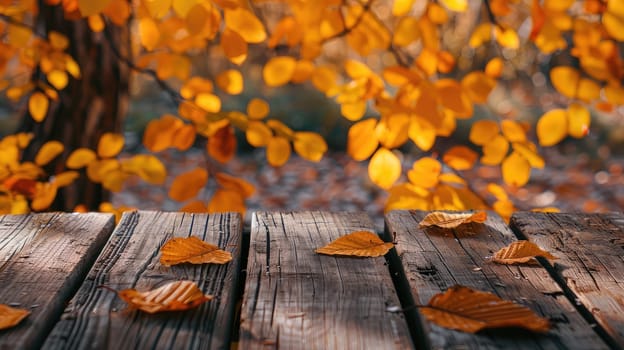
[[87, 107]]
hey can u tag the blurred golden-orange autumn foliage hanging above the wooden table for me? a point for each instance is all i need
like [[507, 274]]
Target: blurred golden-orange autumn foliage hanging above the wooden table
[[405, 72]]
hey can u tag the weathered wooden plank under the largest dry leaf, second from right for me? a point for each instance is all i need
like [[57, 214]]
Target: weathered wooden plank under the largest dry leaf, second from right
[[435, 259]]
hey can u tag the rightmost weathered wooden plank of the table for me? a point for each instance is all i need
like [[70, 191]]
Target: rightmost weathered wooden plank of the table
[[590, 267]]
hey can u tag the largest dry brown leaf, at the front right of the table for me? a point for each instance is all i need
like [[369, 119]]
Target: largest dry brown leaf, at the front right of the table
[[468, 310]]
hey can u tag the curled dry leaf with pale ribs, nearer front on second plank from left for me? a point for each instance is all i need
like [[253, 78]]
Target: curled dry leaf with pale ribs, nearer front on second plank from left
[[174, 296]]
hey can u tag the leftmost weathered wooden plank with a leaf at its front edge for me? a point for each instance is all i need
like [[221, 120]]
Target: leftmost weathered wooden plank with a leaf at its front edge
[[43, 260]]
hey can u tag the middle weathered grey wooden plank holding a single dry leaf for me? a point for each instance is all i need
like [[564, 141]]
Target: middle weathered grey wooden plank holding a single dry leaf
[[295, 298]]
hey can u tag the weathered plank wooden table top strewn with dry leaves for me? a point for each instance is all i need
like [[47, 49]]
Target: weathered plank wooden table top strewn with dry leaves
[[278, 293]]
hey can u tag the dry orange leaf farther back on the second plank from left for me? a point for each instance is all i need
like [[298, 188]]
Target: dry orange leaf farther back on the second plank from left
[[192, 250]]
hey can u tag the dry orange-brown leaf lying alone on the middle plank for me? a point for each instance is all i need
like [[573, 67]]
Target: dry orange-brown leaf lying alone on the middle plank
[[358, 243]]
